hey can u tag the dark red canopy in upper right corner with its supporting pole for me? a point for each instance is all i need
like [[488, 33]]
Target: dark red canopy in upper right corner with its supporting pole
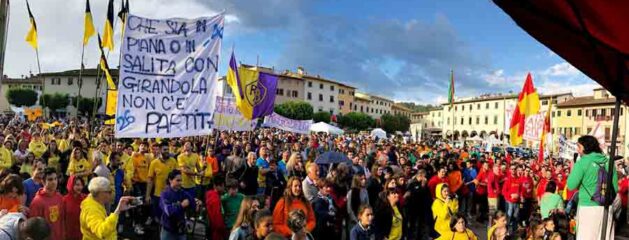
[[590, 34]]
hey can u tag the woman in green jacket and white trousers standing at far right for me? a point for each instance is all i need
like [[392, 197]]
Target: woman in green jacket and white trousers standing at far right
[[584, 177]]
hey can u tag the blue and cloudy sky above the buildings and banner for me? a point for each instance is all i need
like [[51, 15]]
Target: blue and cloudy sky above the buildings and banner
[[399, 49]]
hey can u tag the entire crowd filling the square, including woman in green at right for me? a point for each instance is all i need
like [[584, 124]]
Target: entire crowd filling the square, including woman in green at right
[[65, 179]]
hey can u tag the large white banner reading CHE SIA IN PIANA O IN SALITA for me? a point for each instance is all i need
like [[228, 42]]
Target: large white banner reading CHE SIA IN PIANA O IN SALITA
[[168, 84]]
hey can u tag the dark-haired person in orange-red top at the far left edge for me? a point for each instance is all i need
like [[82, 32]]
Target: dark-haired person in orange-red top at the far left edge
[[12, 194]]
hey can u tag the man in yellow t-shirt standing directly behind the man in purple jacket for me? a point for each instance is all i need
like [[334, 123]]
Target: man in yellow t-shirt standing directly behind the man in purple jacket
[[158, 173]]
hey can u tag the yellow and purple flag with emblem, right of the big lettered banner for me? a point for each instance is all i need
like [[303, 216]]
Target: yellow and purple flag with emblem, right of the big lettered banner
[[254, 90]]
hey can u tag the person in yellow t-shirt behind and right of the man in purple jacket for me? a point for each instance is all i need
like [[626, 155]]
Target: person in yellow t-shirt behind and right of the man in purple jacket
[[188, 161]]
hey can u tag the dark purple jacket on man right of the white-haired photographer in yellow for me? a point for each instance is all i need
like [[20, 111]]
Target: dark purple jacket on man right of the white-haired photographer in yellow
[[173, 217]]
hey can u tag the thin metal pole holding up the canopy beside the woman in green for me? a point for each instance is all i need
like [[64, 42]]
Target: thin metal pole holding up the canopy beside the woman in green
[[610, 168]]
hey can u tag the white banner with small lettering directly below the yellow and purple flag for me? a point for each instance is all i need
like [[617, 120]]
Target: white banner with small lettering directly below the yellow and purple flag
[[227, 117]]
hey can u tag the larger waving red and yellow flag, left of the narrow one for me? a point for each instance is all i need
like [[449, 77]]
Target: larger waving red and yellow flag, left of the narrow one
[[528, 105]]
